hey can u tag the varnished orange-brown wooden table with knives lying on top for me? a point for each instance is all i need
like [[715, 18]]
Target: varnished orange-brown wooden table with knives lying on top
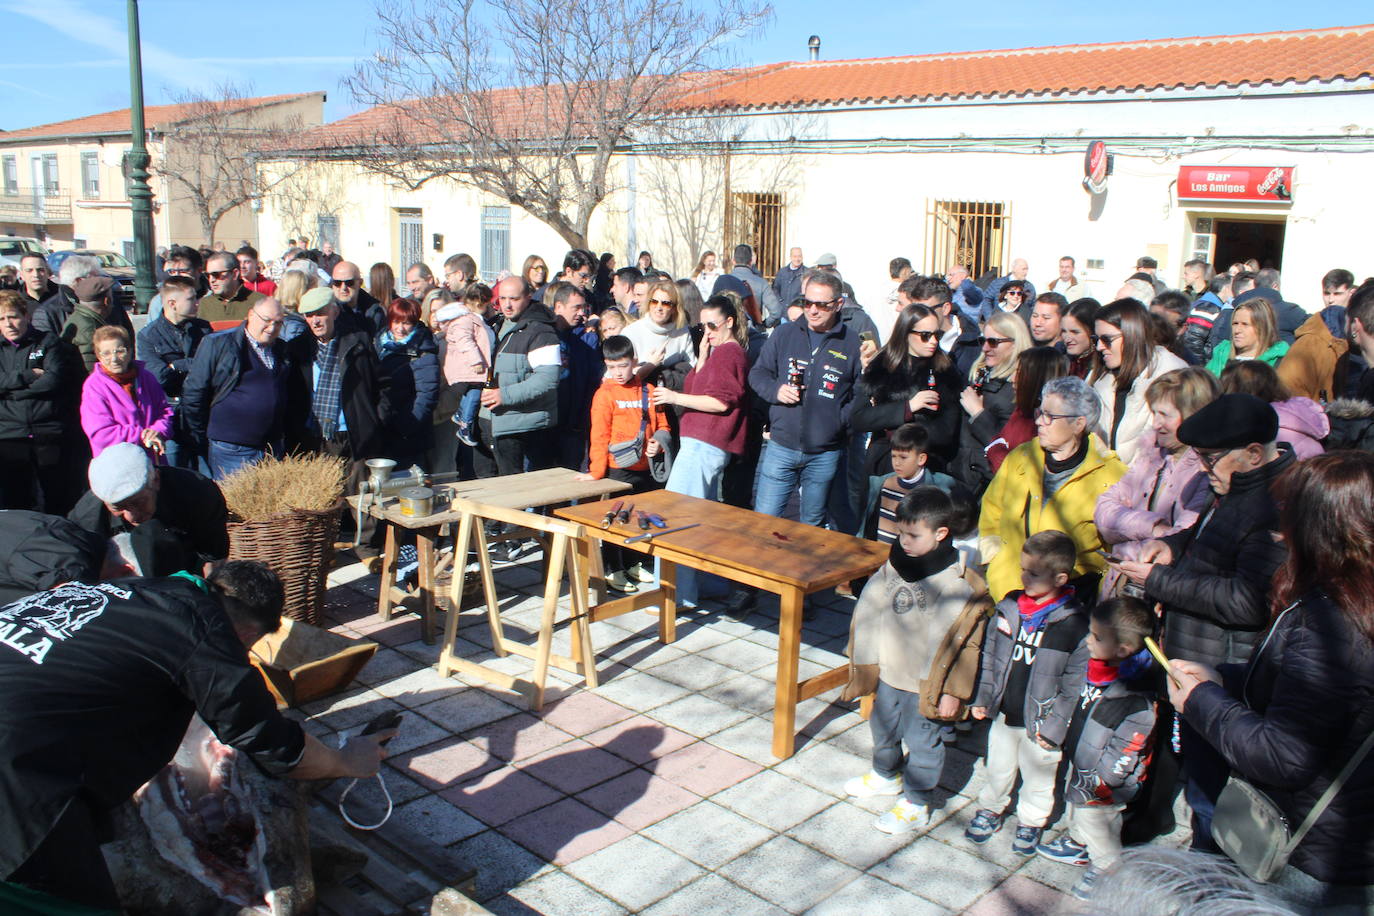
[[787, 558]]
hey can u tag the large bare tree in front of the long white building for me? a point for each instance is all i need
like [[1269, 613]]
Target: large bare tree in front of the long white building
[[531, 100]]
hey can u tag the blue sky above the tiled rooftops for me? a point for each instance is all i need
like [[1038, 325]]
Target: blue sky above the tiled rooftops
[[68, 58]]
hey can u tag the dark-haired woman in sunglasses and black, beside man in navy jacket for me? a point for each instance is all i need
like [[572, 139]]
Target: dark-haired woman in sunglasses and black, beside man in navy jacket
[[912, 380]]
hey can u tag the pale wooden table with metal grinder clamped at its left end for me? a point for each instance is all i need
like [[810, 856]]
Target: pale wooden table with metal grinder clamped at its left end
[[537, 490]]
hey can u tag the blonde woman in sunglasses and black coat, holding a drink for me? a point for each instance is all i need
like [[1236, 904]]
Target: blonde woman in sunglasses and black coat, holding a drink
[[990, 399]]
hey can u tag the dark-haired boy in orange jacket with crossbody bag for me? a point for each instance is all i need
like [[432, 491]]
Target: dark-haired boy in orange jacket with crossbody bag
[[624, 422]]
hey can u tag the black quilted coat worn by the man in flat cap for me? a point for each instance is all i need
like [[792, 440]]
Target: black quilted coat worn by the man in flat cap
[[1215, 593]]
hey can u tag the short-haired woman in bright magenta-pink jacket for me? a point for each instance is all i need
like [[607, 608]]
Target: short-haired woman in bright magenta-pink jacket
[[122, 402]]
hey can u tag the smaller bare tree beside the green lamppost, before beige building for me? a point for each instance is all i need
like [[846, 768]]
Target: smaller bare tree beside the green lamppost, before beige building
[[210, 153]]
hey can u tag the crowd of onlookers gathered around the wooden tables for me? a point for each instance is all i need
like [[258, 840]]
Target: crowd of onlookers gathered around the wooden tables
[[1059, 477]]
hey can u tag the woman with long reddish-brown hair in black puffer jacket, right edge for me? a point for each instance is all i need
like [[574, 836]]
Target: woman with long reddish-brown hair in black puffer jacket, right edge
[[1300, 711]]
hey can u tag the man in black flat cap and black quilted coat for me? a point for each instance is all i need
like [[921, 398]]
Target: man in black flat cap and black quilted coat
[[1214, 579]]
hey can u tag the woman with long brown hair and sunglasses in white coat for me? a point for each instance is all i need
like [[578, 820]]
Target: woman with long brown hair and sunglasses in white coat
[[1131, 360]]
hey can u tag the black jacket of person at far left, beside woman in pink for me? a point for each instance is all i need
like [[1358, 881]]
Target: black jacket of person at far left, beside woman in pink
[[38, 406]]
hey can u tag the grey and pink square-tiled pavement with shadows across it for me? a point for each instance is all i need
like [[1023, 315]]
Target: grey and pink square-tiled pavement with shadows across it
[[657, 793]]
